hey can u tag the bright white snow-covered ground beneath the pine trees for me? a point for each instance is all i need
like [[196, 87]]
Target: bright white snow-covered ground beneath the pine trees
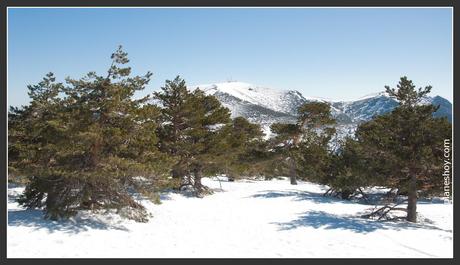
[[247, 219]]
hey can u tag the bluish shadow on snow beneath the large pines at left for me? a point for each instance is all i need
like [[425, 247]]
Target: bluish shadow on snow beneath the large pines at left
[[35, 218]]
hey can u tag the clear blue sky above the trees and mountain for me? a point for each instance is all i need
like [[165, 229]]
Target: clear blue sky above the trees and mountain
[[339, 53]]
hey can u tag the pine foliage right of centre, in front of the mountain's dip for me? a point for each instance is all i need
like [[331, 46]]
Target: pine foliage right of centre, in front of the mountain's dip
[[301, 149]]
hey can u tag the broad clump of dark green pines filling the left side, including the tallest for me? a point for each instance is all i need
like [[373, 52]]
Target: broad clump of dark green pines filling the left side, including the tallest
[[89, 147]]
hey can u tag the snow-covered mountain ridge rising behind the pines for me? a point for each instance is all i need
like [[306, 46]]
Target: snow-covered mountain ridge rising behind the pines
[[265, 106]]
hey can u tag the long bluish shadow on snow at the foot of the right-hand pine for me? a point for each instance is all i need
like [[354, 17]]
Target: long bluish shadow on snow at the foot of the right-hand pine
[[323, 220]]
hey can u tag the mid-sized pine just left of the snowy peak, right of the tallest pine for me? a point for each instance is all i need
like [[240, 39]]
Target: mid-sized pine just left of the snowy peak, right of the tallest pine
[[192, 131]]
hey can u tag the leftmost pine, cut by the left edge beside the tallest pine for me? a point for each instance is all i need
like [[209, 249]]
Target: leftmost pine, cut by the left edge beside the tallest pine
[[36, 135]]
